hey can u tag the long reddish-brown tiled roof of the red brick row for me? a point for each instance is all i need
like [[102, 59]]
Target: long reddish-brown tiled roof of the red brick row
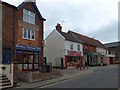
[[88, 40]]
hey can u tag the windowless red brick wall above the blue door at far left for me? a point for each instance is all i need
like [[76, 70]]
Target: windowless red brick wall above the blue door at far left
[[7, 26]]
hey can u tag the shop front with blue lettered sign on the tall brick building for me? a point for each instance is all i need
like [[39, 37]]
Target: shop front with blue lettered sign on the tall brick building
[[27, 57]]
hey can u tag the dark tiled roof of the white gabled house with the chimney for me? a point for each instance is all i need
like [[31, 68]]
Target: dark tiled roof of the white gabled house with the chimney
[[69, 37]]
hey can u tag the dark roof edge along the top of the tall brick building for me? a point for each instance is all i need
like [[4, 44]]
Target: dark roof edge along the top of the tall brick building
[[22, 4]]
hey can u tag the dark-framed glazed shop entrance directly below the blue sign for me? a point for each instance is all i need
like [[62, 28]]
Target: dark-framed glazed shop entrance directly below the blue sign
[[27, 60]]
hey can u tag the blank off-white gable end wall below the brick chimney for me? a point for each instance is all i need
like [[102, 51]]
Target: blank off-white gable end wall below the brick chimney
[[54, 47]]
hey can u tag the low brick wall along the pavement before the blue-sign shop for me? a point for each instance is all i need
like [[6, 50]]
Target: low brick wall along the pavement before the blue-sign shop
[[36, 76]]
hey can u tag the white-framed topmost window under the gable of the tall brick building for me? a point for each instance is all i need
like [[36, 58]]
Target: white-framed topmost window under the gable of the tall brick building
[[28, 16]]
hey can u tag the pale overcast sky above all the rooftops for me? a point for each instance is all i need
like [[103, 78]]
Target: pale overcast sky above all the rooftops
[[93, 18]]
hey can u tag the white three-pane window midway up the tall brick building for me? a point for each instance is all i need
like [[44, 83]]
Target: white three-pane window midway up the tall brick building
[[28, 34]]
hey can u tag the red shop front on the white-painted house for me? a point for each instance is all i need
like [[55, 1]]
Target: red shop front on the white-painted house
[[72, 59]]
